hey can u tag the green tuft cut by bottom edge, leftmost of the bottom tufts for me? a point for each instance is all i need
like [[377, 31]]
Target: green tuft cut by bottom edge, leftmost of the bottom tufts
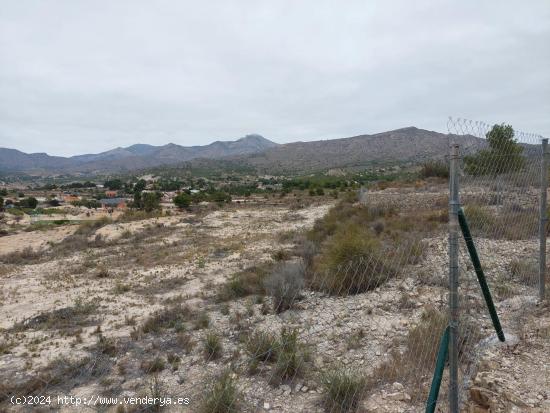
[[221, 396]]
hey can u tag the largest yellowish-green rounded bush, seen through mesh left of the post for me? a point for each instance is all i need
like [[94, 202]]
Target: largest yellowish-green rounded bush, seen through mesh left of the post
[[358, 247]]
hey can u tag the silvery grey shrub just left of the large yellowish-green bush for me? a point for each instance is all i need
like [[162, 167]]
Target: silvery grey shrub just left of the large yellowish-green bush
[[285, 284]]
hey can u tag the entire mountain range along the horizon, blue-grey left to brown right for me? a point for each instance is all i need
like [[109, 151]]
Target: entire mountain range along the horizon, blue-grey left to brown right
[[402, 145]]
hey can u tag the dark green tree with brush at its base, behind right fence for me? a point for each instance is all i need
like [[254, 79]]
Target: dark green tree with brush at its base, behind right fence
[[503, 155]]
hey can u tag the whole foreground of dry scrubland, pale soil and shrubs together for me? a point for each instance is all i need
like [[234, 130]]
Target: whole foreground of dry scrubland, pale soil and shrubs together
[[301, 306]]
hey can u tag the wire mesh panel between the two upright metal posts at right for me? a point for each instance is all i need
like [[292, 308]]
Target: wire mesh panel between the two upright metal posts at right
[[500, 193]]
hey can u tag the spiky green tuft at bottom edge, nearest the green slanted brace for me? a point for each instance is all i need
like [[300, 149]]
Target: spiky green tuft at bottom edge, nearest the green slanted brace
[[343, 390]]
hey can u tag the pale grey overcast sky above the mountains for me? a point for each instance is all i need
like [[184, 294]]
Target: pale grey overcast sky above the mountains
[[80, 76]]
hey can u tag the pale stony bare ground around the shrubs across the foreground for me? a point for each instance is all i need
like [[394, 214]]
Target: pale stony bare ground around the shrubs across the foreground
[[83, 309]]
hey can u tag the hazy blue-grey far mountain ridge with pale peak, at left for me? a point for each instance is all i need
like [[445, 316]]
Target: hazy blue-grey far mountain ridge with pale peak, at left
[[134, 157]]
